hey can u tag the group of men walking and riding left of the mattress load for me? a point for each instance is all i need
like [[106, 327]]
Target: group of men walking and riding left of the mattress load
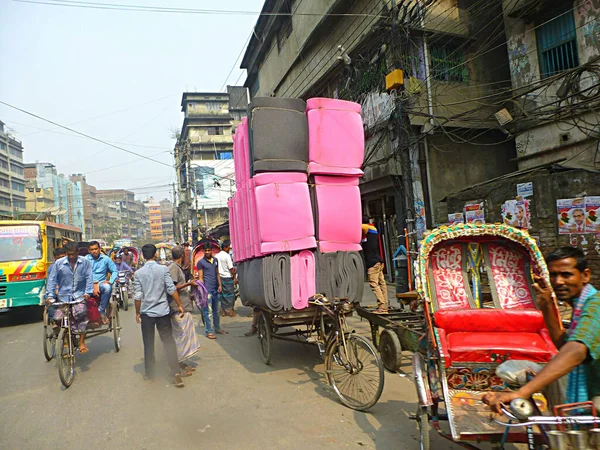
[[161, 295]]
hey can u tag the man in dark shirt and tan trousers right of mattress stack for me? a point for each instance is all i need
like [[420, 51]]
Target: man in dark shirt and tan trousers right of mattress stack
[[374, 263]]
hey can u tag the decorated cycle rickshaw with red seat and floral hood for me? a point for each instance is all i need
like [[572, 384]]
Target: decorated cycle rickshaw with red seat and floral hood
[[475, 283]]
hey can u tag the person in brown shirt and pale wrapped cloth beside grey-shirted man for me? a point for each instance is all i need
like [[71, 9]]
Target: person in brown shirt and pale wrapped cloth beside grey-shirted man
[[184, 334]]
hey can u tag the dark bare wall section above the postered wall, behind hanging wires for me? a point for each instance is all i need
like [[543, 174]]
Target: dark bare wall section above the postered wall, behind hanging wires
[[454, 166]]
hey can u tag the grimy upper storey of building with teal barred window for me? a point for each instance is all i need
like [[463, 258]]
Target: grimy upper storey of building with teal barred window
[[553, 49]]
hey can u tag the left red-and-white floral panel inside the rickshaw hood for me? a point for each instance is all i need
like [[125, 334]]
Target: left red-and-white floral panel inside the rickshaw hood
[[448, 277]]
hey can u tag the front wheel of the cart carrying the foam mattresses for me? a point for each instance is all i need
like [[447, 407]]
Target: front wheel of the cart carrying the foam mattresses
[[354, 371]]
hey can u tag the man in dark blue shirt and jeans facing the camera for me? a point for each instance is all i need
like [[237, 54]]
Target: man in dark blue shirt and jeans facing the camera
[[208, 273]]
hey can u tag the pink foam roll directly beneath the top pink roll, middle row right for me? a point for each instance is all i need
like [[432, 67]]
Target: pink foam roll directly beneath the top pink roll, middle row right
[[338, 211]]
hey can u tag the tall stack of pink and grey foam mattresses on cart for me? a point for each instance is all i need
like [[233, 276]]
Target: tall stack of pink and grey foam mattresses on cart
[[294, 236]]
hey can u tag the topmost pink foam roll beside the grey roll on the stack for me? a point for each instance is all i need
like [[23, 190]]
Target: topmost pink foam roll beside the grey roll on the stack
[[336, 140]]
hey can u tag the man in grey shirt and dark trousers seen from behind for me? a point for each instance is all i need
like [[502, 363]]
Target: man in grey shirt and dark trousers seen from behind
[[151, 285]]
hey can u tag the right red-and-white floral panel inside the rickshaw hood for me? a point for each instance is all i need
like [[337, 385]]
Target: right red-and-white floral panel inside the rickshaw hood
[[510, 277]]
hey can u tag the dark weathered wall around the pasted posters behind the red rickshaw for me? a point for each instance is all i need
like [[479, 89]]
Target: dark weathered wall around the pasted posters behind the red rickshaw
[[547, 188]]
